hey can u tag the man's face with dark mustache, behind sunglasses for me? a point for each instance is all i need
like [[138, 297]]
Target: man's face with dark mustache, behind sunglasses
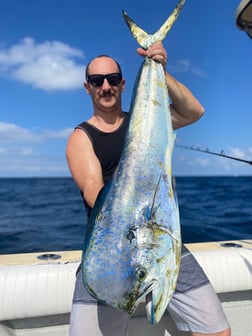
[[106, 96]]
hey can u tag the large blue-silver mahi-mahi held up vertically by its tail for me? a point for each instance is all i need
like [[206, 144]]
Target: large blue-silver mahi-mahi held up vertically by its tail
[[133, 243]]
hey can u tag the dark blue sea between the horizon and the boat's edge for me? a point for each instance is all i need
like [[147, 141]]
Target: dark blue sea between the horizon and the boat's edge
[[47, 214]]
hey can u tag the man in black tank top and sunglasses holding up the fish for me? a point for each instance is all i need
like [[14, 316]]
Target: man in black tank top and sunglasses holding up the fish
[[93, 152]]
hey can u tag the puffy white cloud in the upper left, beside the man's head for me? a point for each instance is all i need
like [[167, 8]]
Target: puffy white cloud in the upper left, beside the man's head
[[50, 66]]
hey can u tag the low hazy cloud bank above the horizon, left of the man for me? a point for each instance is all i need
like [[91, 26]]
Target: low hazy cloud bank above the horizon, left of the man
[[24, 152]]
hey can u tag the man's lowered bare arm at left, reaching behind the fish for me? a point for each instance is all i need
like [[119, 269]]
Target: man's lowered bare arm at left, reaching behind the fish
[[84, 165]]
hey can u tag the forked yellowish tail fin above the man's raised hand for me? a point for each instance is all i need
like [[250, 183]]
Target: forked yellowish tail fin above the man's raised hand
[[144, 39]]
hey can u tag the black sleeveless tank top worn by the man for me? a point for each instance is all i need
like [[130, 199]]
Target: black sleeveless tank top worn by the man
[[107, 146]]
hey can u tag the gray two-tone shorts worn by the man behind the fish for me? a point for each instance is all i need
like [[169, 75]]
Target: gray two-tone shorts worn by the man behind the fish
[[194, 306]]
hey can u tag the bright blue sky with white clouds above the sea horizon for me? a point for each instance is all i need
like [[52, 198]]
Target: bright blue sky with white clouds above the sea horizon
[[45, 45]]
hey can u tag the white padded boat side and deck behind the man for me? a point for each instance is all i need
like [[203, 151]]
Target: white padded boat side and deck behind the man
[[36, 290]]
